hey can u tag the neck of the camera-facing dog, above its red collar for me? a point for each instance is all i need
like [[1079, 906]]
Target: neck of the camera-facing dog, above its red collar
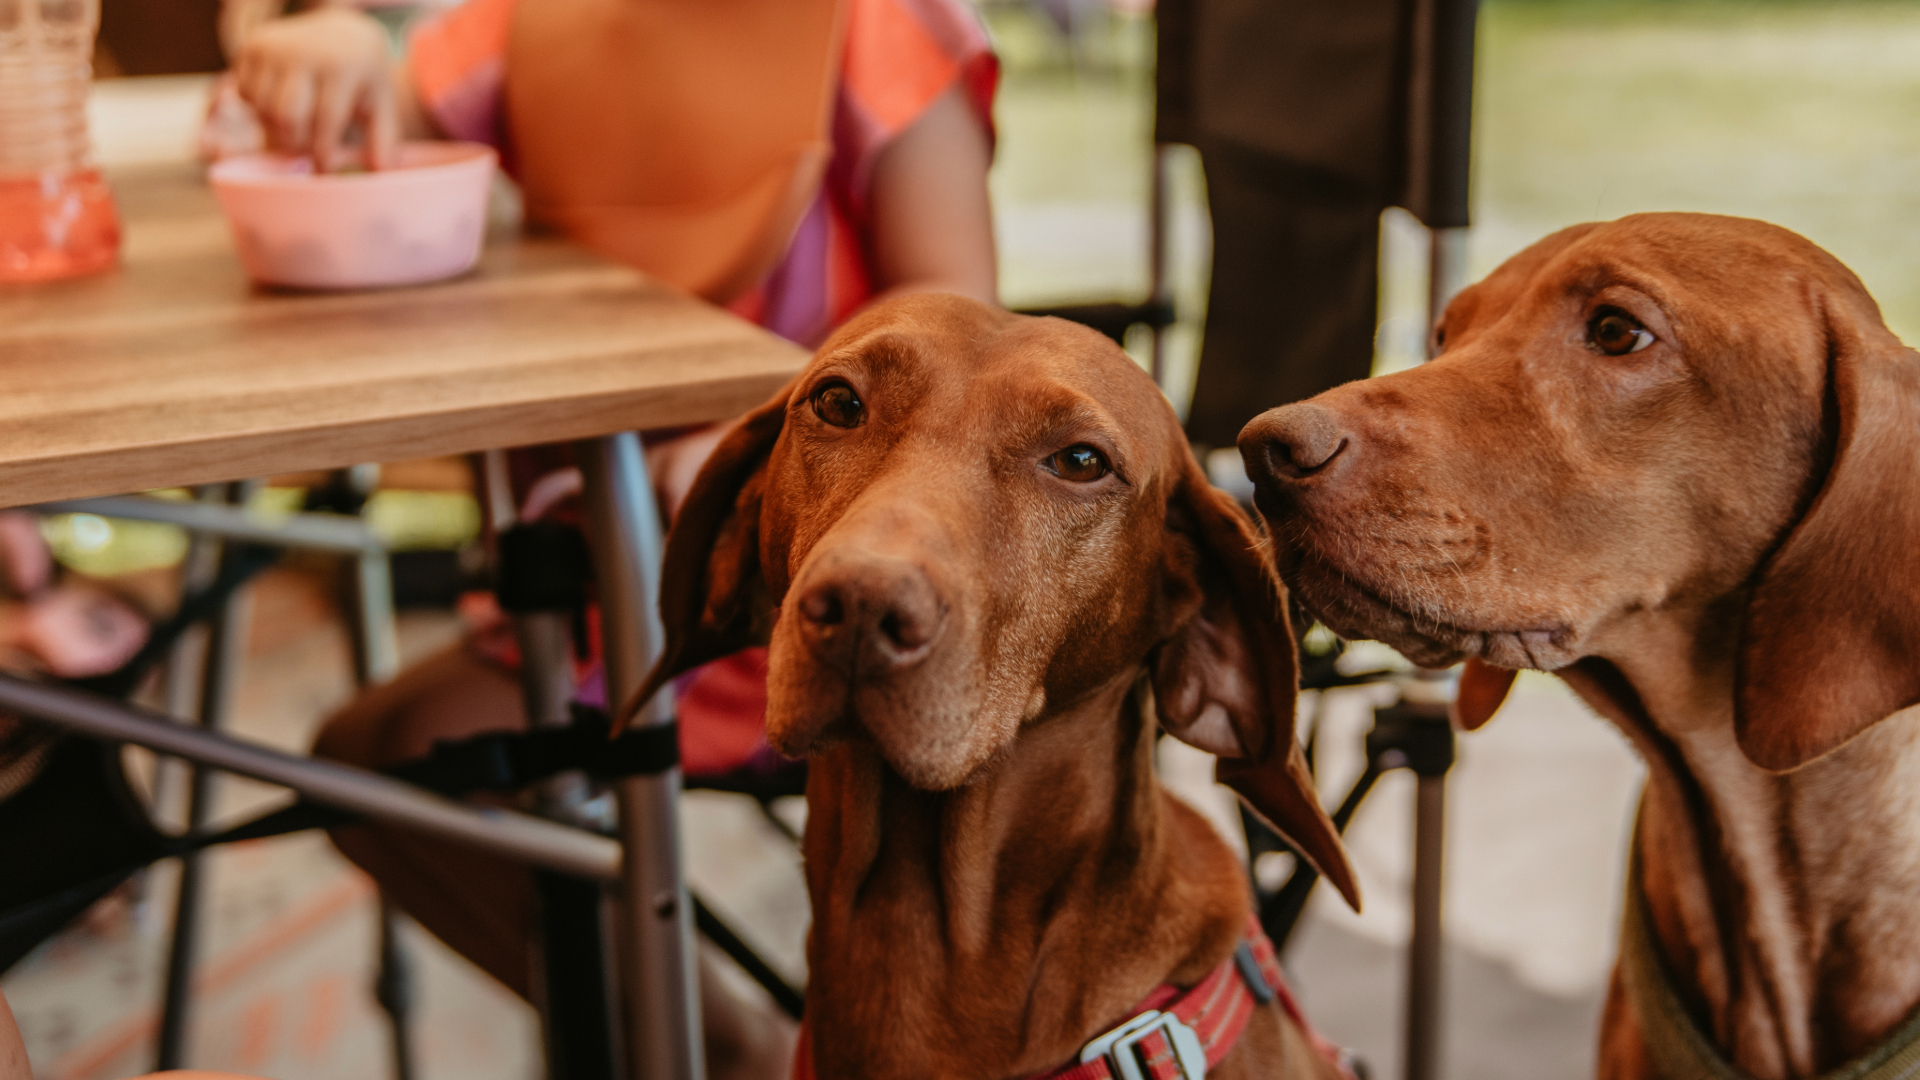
[[992, 929]]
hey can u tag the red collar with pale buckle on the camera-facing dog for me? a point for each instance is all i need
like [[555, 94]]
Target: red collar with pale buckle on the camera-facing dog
[[1214, 1012]]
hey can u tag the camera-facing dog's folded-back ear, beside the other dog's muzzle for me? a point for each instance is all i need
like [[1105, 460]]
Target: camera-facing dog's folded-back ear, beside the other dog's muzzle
[[1228, 677]]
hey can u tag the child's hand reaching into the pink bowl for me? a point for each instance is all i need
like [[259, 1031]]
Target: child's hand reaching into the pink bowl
[[312, 76]]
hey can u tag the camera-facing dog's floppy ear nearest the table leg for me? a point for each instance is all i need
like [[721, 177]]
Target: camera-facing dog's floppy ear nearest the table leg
[[713, 597]]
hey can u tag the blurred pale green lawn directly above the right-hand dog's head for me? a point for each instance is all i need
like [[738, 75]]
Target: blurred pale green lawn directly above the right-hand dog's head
[[1794, 112]]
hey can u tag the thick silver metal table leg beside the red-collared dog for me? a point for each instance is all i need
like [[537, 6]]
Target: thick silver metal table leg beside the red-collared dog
[[656, 927]]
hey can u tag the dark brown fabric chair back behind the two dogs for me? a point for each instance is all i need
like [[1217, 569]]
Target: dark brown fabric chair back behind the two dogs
[[1299, 110]]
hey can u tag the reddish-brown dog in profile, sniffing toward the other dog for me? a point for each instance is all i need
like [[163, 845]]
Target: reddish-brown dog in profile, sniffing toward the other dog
[[1677, 460]]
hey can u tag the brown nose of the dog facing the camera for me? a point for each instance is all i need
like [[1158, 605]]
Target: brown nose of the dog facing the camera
[[869, 614]]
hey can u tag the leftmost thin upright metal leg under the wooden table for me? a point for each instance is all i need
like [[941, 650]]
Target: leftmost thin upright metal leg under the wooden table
[[220, 679]]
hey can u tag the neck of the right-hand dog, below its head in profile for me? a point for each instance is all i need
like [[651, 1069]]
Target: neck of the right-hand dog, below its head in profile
[[1785, 904]]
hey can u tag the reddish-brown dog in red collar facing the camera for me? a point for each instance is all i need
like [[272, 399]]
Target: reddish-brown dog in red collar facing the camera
[[978, 549]]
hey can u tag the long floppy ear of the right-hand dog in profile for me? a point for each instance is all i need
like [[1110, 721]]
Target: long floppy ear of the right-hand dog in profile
[[1831, 641]]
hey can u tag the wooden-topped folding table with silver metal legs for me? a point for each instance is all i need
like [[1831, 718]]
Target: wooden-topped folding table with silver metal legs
[[176, 370]]
